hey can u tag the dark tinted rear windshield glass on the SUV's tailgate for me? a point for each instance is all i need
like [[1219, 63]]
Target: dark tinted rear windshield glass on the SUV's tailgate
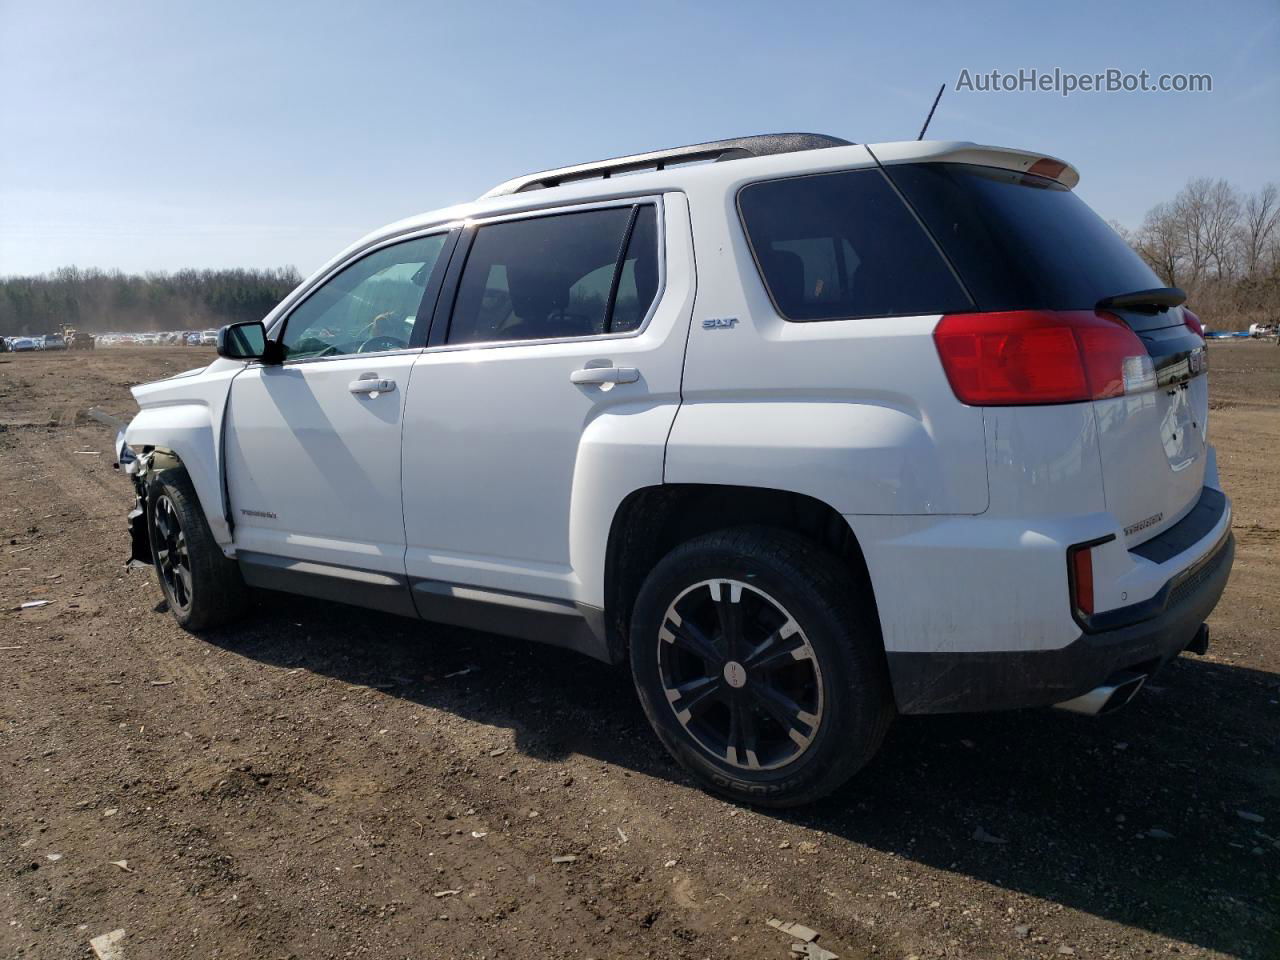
[[1022, 243]]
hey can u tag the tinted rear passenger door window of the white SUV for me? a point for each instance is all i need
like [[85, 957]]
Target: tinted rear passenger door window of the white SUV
[[580, 275]]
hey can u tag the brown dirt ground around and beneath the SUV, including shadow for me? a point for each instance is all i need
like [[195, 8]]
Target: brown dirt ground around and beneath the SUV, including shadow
[[324, 783]]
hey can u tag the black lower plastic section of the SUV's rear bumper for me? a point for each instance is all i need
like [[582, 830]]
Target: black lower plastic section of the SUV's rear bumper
[[958, 683]]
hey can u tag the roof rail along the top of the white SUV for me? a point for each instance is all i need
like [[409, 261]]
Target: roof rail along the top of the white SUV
[[735, 149]]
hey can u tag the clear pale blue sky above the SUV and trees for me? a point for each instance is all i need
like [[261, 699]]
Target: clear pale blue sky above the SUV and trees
[[164, 135]]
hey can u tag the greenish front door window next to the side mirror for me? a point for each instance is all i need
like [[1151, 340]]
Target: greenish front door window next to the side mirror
[[369, 307]]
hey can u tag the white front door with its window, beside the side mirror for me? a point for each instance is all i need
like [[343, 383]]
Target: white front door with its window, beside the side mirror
[[314, 444]]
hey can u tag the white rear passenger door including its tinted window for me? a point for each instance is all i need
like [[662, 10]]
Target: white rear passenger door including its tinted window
[[552, 378]]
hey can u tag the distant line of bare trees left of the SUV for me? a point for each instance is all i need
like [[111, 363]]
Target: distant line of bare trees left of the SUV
[[100, 301]]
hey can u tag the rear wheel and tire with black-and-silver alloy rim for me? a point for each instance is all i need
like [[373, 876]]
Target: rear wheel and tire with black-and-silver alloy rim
[[778, 725]]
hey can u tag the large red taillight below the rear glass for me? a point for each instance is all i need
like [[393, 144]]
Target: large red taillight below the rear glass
[[1025, 358]]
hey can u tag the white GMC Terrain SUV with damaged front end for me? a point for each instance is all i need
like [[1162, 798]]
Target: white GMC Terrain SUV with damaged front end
[[813, 436]]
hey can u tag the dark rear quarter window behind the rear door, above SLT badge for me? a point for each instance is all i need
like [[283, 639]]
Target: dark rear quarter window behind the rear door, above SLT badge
[[843, 245]]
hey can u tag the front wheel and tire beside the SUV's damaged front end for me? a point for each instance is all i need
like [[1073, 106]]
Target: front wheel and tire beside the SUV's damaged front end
[[203, 587]]
